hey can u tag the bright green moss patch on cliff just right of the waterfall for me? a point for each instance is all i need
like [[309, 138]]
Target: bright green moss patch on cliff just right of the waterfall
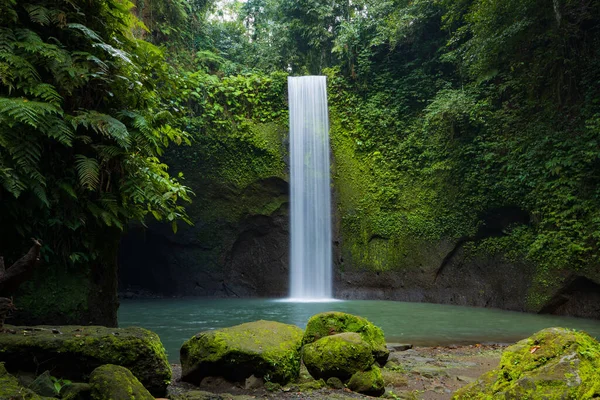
[[390, 218]]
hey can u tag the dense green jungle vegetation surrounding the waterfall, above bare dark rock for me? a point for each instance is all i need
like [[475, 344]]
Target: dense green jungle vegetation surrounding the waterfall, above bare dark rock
[[442, 110]]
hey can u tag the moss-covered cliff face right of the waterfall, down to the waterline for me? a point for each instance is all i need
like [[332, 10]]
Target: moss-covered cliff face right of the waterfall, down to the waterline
[[410, 225]]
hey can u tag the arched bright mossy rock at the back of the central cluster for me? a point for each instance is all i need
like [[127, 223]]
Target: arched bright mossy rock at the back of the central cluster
[[333, 322]]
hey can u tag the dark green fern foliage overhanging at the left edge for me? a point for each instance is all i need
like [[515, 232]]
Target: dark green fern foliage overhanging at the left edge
[[84, 117]]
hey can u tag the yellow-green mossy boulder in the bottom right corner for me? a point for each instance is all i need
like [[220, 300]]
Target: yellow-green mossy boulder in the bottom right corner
[[555, 363]]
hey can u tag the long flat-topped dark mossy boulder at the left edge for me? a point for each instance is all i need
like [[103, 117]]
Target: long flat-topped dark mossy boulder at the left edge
[[73, 352]]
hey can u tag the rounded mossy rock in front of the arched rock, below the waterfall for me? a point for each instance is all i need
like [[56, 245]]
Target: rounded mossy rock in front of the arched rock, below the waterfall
[[338, 356]]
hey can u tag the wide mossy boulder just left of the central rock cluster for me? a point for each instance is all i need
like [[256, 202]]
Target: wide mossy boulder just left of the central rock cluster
[[265, 349]]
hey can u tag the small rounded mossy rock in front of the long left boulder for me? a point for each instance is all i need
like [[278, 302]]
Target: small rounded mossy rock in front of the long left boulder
[[113, 382]]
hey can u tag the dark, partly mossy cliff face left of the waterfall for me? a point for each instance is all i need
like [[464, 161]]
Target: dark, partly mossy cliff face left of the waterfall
[[238, 245]]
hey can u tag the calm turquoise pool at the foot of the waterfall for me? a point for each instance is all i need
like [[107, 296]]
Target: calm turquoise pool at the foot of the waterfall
[[176, 320]]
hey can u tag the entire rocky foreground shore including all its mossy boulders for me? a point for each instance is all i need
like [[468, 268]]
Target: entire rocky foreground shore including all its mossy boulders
[[337, 356]]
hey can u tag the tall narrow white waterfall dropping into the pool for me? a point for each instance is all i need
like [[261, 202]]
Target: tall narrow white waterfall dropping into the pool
[[311, 262]]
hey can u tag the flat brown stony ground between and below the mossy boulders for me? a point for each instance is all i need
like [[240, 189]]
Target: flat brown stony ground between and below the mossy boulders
[[428, 373]]
